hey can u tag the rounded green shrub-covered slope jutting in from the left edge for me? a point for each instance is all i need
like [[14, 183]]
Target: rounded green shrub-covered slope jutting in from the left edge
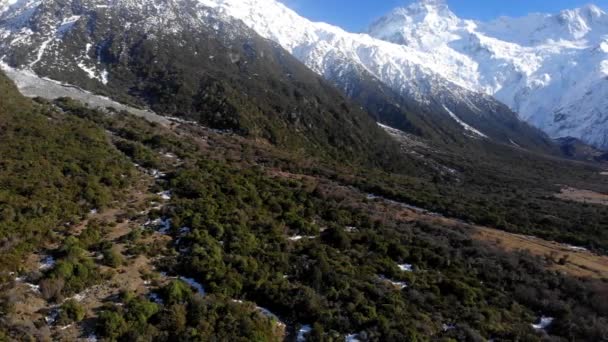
[[55, 169]]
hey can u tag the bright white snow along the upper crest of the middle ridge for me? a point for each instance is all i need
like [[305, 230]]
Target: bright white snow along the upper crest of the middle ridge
[[322, 47]]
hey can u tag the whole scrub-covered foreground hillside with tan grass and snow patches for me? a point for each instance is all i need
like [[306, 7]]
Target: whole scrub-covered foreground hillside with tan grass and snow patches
[[194, 234]]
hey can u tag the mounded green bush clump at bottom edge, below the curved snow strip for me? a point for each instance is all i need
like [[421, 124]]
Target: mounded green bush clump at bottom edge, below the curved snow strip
[[184, 316]]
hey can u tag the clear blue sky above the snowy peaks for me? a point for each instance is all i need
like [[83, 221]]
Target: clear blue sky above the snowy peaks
[[355, 15]]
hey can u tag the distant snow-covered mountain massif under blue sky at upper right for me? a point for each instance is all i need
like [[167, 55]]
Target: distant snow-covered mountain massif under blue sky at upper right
[[551, 69]]
